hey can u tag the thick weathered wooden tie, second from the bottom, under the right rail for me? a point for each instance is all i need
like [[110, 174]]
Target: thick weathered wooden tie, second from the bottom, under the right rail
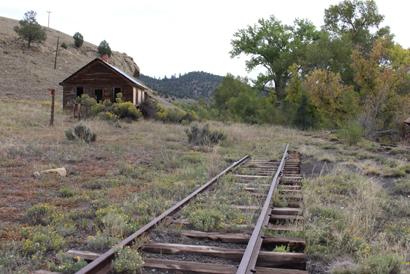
[[265, 258]]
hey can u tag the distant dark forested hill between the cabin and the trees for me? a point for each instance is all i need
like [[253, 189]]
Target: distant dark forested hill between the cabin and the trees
[[194, 85]]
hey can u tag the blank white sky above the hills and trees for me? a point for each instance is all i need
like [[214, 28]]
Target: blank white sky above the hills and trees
[[170, 37]]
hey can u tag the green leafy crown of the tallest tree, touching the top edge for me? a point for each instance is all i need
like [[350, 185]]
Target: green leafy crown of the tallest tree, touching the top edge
[[355, 19]]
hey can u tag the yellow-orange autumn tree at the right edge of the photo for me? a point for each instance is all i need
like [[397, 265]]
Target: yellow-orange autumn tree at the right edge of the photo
[[380, 80]]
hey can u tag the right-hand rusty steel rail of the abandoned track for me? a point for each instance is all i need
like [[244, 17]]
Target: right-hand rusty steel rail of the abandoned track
[[250, 256]]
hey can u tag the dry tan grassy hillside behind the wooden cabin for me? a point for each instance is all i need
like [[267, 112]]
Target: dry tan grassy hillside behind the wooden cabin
[[27, 74]]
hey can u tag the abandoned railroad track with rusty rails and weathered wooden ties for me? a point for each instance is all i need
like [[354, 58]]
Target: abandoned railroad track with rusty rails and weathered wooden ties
[[276, 188]]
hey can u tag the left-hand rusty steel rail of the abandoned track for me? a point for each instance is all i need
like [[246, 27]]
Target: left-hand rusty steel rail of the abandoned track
[[102, 264]]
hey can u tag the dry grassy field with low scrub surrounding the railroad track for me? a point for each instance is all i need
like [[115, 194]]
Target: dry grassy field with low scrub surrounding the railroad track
[[131, 173]]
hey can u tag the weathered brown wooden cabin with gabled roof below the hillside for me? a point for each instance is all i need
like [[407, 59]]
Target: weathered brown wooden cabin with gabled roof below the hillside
[[102, 81]]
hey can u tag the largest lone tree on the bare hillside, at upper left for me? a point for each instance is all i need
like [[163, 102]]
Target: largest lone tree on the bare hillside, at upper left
[[30, 30]]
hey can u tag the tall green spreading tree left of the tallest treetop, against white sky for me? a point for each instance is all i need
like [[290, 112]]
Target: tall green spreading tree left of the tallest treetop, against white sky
[[274, 46]]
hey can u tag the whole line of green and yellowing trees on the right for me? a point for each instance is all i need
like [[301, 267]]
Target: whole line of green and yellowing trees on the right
[[349, 70]]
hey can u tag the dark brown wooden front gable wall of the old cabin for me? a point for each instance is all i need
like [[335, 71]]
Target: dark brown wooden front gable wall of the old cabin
[[97, 76]]
